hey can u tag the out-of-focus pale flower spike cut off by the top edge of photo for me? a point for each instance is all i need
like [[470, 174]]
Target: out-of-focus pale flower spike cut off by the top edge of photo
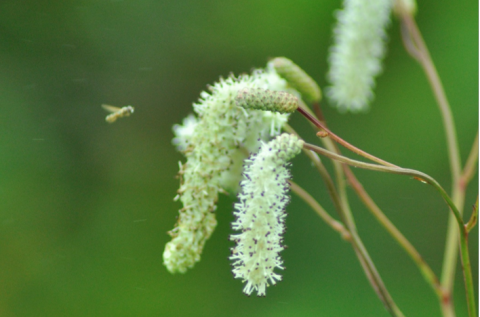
[[355, 57]]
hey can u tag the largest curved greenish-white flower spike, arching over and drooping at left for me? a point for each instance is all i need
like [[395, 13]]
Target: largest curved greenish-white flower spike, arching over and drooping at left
[[215, 143]]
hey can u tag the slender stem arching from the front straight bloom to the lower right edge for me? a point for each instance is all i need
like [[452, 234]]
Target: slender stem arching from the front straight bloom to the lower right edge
[[467, 271]]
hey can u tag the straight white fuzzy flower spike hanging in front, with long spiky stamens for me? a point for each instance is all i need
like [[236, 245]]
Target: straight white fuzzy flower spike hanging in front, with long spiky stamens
[[260, 214]]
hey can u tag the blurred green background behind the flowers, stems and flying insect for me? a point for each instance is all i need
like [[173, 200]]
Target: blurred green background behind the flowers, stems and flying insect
[[85, 206]]
